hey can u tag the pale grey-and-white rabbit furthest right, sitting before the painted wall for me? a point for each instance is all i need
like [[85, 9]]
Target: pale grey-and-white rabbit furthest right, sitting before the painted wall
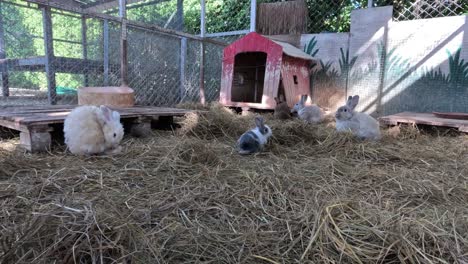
[[360, 124]]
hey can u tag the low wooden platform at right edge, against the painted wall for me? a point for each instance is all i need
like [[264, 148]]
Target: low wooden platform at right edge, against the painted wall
[[424, 119]]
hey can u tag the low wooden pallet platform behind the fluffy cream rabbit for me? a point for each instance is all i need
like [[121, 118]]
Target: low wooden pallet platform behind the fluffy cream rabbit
[[36, 123]]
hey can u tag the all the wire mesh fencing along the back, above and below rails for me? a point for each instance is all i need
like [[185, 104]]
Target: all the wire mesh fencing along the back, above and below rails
[[164, 69]]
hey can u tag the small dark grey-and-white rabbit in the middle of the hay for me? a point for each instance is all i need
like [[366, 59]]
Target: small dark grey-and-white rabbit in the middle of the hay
[[253, 140]]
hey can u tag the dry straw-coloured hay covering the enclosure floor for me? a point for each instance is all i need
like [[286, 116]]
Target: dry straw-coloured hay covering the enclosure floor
[[312, 197]]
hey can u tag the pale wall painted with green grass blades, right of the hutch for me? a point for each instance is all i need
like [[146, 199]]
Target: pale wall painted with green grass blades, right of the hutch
[[419, 65]]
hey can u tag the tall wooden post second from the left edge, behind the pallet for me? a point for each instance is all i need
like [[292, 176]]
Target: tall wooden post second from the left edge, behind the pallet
[[49, 55]]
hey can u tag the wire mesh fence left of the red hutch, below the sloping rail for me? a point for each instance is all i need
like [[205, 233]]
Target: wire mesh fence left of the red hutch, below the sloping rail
[[163, 69]]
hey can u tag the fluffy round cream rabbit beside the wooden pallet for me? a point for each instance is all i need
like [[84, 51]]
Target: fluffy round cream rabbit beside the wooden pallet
[[93, 130]]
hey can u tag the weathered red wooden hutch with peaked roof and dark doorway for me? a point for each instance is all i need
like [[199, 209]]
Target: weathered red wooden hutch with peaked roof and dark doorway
[[257, 69]]
